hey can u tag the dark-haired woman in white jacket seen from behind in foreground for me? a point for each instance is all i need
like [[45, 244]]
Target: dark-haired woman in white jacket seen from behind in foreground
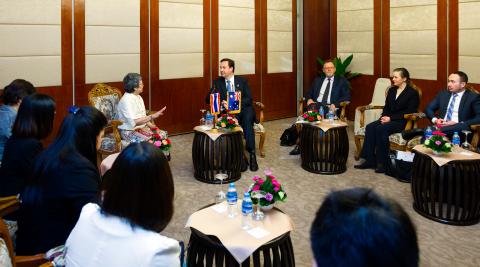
[[124, 231]]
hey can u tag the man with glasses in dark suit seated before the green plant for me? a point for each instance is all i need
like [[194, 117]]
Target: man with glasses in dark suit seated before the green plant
[[326, 91]]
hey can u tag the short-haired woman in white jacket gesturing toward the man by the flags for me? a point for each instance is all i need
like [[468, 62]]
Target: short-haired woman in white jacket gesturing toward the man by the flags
[[137, 125]]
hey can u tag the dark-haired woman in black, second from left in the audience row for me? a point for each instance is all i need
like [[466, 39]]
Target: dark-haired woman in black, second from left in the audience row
[[34, 122]]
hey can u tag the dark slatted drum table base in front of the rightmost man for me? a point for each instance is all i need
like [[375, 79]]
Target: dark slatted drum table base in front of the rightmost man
[[448, 194]]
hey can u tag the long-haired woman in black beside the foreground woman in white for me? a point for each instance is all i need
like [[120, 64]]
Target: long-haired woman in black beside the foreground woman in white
[[65, 178]]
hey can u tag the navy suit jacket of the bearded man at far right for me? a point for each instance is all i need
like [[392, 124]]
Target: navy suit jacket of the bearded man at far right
[[469, 110]]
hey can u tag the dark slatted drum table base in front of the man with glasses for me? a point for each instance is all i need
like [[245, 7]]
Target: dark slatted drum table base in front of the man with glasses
[[324, 152]]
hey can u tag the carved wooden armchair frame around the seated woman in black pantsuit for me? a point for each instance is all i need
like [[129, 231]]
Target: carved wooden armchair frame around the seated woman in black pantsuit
[[396, 140]]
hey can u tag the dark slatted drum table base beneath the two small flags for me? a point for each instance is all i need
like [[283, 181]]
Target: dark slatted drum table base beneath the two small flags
[[224, 155]]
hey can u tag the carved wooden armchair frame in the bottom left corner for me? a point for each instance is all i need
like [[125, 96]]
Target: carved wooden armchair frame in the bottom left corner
[[7, 206]]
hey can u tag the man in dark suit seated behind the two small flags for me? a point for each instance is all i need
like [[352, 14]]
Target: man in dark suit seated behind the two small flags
[[228, 82]]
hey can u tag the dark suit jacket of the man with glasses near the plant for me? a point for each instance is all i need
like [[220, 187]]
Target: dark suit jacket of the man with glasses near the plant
[[339, 91]]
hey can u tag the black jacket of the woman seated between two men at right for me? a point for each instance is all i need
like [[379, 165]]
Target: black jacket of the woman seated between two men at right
[[407, 102]]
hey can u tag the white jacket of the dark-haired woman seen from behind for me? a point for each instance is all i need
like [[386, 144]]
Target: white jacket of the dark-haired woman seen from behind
[[105, 240]]
